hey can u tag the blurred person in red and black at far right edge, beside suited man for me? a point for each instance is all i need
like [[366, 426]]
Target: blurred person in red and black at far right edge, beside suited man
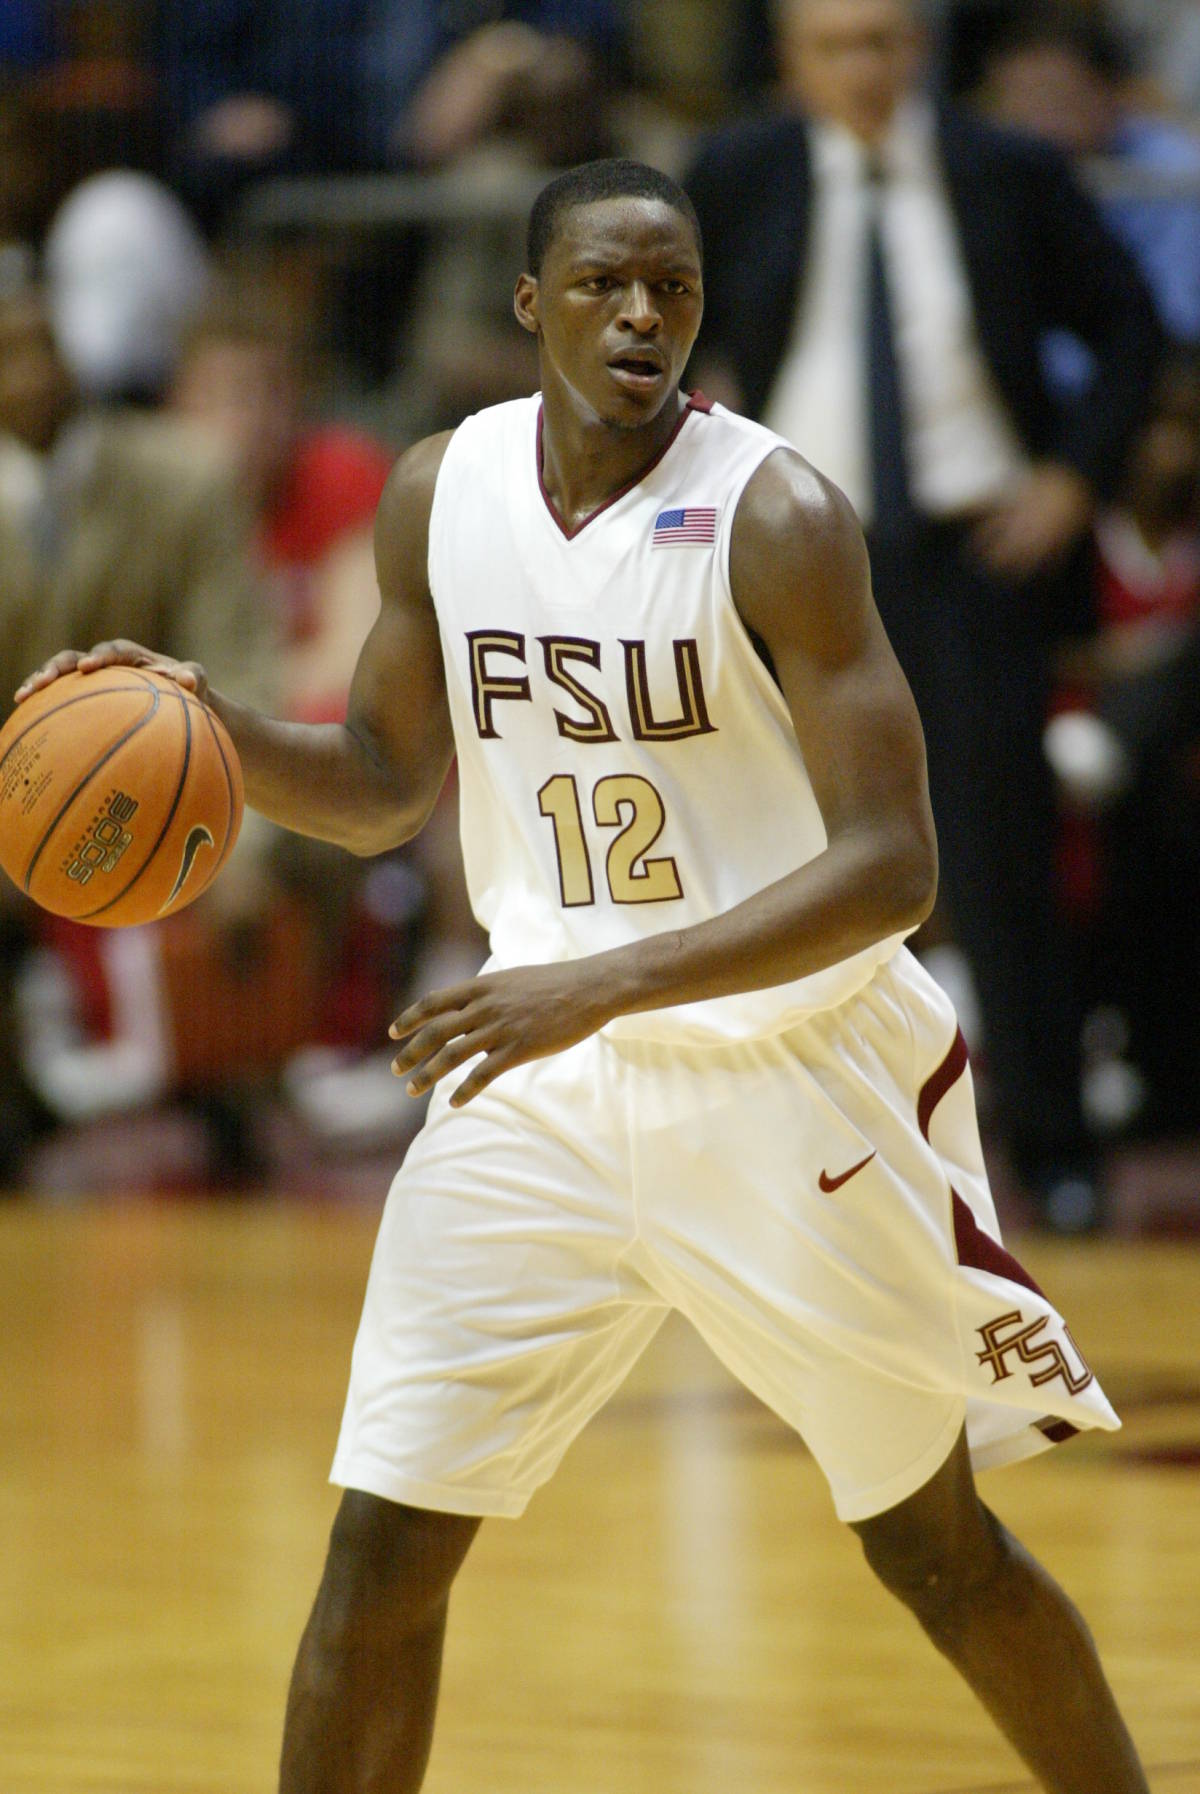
[[1133, 758]]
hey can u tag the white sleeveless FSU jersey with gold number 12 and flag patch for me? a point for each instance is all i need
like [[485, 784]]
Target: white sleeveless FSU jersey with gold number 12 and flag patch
[[627, 762]]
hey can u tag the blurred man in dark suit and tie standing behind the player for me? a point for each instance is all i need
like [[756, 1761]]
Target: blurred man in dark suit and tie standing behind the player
[[880, 275]]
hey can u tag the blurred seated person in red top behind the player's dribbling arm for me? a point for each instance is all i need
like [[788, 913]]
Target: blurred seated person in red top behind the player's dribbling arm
[[315, 489]]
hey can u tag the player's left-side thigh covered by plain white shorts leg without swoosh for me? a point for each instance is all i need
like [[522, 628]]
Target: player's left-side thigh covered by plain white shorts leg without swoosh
[[501, 1311]]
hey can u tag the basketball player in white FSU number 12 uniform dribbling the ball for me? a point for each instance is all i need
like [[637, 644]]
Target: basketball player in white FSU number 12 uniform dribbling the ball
[[702, 1072]]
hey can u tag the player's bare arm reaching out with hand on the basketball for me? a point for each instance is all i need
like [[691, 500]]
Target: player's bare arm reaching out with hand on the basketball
[[372, 781]]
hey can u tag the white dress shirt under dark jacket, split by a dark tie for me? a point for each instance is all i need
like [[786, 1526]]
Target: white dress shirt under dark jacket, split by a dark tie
[[962, 448]]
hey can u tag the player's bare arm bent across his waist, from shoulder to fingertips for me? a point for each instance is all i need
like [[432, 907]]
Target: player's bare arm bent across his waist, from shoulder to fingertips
[[801, 582]]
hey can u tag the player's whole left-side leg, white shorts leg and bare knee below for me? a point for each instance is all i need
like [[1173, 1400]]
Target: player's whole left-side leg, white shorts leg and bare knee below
[[498, 1319]]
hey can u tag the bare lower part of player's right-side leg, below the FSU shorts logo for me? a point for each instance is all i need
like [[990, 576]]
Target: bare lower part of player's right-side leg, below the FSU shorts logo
[[1011, 1632]]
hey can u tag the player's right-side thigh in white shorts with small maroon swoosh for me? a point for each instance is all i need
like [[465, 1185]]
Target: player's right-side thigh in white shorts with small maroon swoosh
[[801, 1219]]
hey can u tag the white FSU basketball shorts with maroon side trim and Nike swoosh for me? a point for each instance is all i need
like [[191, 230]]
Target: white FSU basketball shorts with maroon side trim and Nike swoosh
[[815, 1203]]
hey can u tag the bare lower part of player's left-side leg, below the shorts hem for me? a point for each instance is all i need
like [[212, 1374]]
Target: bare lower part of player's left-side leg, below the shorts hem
[[365, 1687]]
